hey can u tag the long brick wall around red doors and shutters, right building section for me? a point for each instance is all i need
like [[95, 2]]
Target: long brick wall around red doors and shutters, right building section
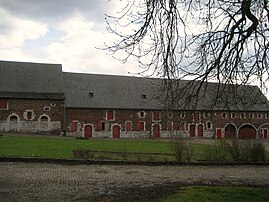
[[208, 121]]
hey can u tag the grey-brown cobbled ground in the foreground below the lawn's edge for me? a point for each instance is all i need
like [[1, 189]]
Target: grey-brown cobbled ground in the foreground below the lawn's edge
[[55, 182]]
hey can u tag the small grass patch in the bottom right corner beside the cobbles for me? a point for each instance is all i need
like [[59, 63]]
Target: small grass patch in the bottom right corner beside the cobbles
[[220, 194]]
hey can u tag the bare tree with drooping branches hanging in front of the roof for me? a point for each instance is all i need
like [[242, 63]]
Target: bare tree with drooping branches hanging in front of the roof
[[199, 40]]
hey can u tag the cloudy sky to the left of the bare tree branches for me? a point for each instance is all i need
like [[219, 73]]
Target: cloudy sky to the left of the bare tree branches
[[66, 32]]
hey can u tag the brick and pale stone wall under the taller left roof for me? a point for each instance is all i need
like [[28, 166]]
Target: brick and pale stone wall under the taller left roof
[[28, 115]]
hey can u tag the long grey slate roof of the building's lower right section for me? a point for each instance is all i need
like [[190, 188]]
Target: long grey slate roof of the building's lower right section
[[123, 92]]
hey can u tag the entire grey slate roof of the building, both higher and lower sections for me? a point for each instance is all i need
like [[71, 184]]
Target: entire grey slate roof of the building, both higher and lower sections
[[47, 81]]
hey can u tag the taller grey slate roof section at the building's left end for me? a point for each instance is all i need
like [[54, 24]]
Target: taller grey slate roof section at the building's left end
[[31, 80]]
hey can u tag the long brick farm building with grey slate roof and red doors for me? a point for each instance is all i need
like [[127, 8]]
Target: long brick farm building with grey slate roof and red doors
[[40, 98]]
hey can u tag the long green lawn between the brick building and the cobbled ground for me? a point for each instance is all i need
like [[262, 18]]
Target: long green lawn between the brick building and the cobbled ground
[[62, 147]]
